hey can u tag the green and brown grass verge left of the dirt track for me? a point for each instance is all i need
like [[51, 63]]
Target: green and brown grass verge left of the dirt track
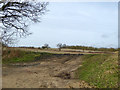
[[18, 56]]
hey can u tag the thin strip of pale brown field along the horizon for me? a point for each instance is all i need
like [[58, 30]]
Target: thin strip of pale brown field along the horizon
[[63, 51]]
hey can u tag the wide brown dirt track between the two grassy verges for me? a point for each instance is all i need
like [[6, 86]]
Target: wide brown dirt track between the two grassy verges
[[53, 72]]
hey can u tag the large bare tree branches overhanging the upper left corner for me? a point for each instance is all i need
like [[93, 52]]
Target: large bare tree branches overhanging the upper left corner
[[16, 16]]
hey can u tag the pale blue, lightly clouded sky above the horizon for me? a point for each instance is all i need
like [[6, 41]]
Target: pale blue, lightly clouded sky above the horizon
[[76, 23]]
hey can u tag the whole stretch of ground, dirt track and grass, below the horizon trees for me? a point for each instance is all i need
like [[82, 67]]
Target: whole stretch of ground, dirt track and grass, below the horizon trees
[[67, 68]]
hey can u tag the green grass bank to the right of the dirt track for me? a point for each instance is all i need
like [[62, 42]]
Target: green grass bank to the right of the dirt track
[[99, 70]]
